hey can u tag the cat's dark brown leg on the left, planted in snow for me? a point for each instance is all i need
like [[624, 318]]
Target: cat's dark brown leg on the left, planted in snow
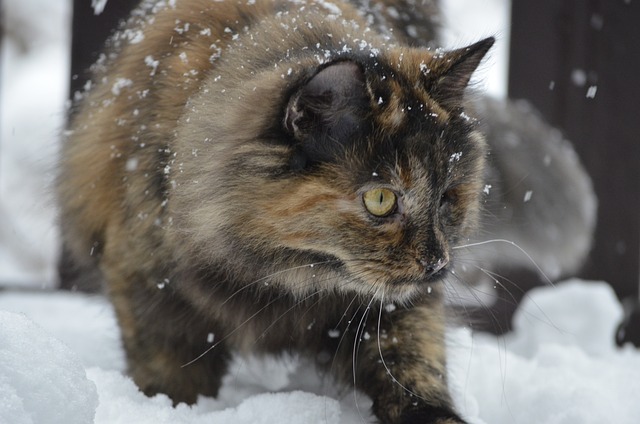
[[169, 346]]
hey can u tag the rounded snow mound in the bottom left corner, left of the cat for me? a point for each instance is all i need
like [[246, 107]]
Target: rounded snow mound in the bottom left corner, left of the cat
[[41, 380]]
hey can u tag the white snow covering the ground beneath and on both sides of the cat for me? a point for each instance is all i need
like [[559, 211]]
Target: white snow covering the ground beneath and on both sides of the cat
[[64, 363]]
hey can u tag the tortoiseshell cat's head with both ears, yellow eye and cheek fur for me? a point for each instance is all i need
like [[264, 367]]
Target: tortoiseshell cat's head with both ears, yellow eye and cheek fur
[[366, 168]]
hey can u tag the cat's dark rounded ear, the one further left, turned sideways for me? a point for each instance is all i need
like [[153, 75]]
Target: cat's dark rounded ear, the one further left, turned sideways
[[325, 113]]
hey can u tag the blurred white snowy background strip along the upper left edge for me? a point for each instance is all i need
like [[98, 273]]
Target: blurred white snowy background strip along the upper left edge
[[33, 88]]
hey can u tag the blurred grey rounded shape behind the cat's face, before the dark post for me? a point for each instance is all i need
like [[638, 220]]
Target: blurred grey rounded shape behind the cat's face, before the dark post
[[538, 196]]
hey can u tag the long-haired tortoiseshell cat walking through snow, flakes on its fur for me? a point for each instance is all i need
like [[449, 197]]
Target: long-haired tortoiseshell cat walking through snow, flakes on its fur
[[285, 176]]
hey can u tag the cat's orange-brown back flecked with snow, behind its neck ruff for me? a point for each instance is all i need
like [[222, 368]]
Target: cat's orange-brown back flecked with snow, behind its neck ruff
[[119, 146]]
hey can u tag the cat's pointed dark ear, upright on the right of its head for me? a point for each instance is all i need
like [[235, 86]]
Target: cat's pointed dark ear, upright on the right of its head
[[449, 74]]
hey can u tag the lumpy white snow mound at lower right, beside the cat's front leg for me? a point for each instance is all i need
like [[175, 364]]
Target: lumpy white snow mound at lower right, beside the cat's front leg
[[559, 366]]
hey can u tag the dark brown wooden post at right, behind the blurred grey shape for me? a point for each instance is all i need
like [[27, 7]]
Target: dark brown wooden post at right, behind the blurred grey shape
[[578, 62]]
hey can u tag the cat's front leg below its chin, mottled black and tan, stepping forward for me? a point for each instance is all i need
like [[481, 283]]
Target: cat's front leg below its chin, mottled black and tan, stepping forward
[[402, 366]]
